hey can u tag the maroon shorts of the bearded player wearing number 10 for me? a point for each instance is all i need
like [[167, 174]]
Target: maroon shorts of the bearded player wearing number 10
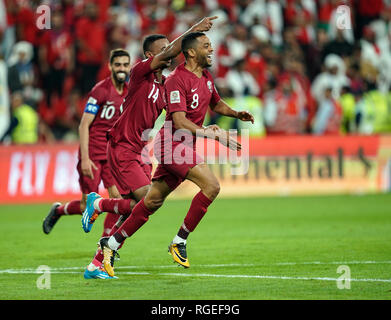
[[103, 173]]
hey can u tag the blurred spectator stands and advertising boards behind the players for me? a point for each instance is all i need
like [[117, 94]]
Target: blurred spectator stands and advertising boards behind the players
[[319, 94]]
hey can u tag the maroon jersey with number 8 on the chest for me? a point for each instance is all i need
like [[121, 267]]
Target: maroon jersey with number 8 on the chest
[[186, 92]]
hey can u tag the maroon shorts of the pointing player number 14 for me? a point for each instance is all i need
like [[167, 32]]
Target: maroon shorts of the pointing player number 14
[[127, 168]]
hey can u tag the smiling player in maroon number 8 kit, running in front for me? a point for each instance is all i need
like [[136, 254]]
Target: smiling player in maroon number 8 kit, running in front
[[190, 90]]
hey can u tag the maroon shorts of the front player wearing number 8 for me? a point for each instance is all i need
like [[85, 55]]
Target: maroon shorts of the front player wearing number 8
[[174, 167]]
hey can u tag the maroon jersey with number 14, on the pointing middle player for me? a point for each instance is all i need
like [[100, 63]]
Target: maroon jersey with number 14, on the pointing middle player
[[145, 101]]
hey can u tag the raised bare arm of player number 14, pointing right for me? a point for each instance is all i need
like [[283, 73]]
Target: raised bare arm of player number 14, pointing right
[[174, 48]]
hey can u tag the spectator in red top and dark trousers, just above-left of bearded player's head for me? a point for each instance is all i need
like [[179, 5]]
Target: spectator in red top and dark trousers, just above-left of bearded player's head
[[90, 41]]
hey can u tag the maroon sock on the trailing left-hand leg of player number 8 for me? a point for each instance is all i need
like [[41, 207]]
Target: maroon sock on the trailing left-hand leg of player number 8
[[140, 215]]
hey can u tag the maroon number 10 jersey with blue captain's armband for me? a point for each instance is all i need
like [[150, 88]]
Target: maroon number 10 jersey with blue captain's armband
[[105, 103]]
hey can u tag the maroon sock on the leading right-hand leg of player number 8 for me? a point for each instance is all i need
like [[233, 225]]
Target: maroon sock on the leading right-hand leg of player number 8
[[197, 210]]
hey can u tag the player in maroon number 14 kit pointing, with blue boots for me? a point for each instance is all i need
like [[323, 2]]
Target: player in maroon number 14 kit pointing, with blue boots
[[145, 101]]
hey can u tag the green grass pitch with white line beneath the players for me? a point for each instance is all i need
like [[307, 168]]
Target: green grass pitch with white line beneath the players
[[253, 248]]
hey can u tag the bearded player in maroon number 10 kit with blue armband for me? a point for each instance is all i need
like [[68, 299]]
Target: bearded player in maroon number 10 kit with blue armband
[[103, 108]]
